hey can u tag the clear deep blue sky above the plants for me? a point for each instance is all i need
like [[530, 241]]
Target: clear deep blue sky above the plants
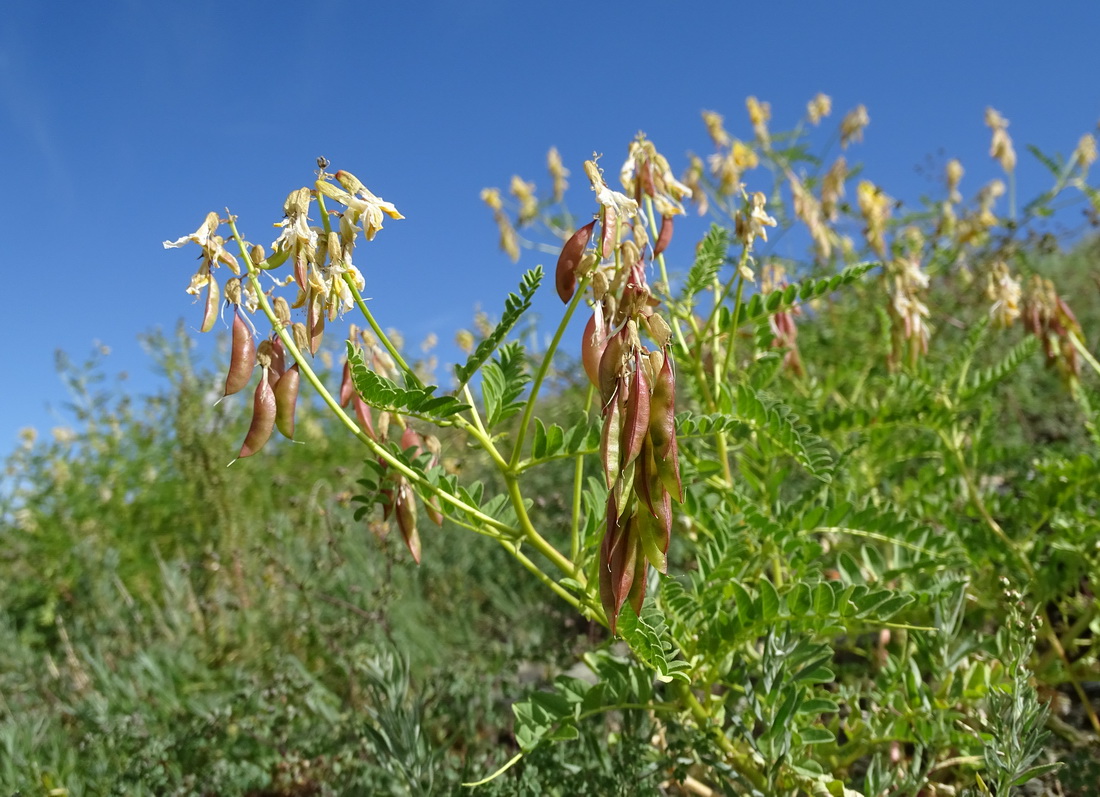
[[124, 124]]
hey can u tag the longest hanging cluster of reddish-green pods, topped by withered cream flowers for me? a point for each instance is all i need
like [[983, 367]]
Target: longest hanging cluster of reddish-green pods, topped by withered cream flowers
[[637, 391]]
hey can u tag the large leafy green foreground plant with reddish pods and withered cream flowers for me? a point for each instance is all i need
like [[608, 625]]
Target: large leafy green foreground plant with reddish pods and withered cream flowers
[[800, 536]]
